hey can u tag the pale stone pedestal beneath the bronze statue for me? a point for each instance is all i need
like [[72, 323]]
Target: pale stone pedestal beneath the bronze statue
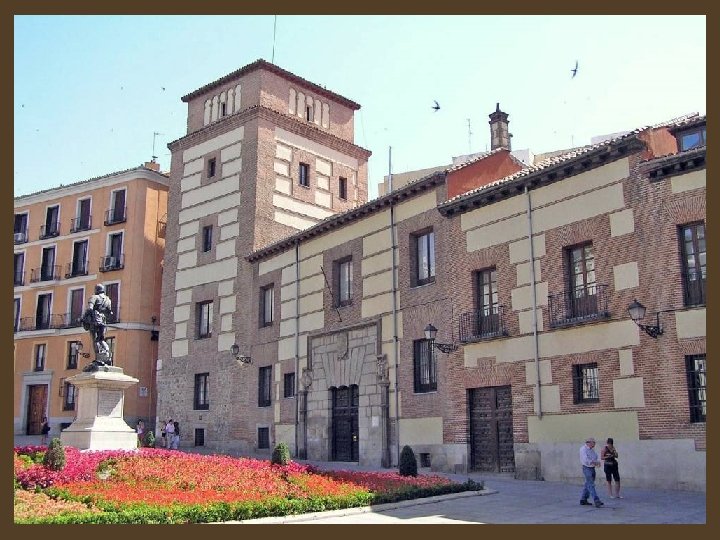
[[99, 424]]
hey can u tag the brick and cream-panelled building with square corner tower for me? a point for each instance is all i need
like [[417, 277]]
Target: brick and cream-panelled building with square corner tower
[[479, 313]]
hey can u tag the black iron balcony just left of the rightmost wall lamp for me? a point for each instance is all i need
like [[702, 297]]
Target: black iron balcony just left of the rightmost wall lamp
[[577, 306]]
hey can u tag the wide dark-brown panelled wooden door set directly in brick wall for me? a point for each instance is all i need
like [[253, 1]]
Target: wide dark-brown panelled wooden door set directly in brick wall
[[491, 429]]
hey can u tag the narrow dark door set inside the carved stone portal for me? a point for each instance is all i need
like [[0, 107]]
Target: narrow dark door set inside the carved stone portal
[[345, 423]]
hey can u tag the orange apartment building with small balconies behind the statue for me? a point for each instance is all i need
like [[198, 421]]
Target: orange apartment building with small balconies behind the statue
[[109, 230]]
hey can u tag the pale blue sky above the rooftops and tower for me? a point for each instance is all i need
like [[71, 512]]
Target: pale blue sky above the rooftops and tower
[[89, 91]]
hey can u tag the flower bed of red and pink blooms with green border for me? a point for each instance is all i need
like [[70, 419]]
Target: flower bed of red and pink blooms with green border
[[165, 486]]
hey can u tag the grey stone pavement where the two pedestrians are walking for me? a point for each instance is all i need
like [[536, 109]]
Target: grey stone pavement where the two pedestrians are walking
[[509, 501]]
